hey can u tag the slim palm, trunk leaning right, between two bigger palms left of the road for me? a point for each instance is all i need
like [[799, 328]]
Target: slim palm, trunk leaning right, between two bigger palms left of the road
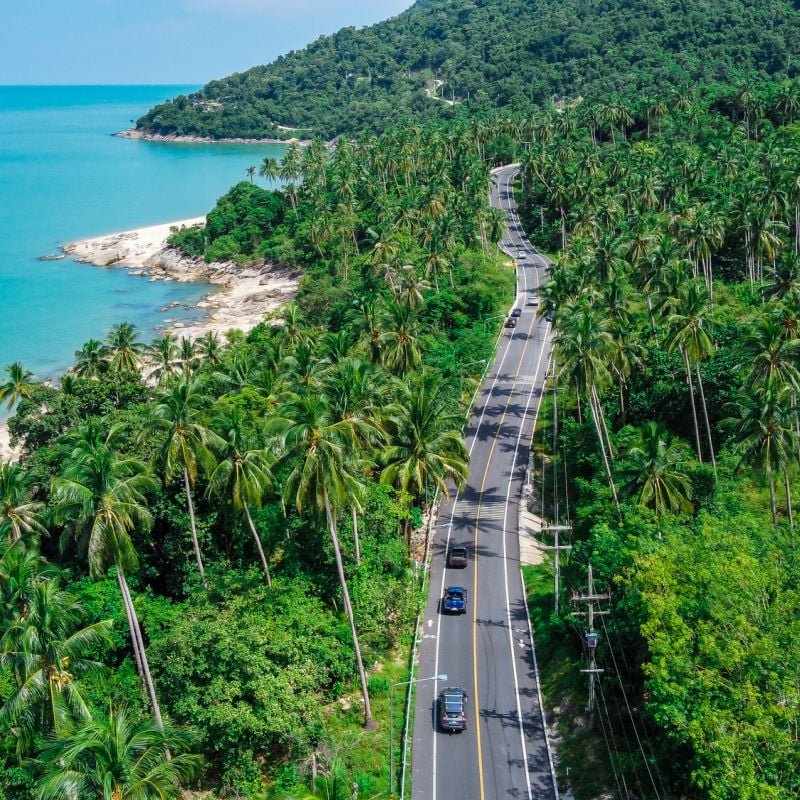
[[242, 475]]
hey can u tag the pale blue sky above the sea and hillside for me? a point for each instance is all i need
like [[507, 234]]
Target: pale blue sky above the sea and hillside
[[164, 41]]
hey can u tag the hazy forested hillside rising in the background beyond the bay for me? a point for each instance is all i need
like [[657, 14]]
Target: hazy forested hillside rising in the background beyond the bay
[[479, 55]]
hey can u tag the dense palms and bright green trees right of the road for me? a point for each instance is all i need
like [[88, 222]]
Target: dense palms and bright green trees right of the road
[[675, 301]]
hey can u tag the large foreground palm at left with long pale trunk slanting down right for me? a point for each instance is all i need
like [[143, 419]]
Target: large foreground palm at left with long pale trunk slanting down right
[[101, 497]]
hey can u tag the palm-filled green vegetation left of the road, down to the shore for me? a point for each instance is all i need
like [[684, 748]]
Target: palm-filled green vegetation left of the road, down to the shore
[[204, 553]]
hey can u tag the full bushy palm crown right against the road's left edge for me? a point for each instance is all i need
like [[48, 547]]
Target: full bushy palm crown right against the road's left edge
[[425, 448]]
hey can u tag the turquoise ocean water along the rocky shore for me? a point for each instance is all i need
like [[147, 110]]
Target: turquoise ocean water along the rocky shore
[[63, 177]]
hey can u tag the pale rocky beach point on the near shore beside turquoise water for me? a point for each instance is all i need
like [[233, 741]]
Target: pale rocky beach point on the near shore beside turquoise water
[[247, 293]]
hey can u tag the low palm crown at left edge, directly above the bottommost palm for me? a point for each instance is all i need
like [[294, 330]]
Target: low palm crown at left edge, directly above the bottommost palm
[[46, 651]]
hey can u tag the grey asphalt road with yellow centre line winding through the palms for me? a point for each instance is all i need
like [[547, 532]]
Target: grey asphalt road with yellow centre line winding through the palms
[[488, 652]]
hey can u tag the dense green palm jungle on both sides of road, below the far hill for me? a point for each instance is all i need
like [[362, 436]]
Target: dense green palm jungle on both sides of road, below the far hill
[[207, 549]]
